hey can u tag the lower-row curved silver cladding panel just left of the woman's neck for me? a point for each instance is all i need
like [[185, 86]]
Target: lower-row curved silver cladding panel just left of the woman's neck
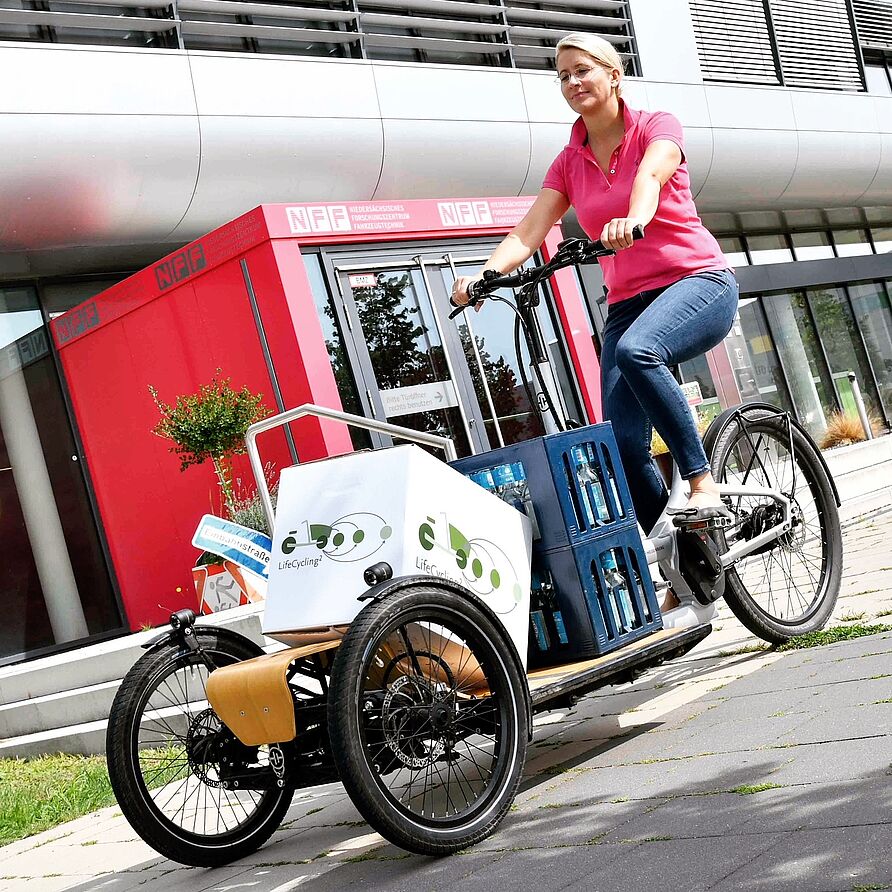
[[445, 159]]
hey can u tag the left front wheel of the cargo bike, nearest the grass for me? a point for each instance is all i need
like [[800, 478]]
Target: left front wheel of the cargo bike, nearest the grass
[[185, 783]]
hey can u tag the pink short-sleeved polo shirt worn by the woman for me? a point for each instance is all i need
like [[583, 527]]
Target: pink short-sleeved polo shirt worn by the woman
[[676, 243]]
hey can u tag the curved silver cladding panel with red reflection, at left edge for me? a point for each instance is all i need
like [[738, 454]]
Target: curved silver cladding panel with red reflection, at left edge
[[78, 179]]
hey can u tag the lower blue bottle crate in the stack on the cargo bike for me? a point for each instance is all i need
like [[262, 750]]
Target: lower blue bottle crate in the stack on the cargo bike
[[575, 614]]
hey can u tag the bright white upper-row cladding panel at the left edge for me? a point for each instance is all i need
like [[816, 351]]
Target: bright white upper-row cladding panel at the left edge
[[94, 81]]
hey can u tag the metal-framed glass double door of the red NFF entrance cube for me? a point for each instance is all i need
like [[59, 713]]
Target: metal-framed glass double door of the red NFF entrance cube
[[461, 378]]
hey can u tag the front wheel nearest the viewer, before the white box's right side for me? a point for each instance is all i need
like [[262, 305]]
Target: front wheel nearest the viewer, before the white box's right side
[[427, 719]]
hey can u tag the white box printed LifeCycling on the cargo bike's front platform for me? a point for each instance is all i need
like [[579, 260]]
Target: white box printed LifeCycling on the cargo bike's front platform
[[335, 518]]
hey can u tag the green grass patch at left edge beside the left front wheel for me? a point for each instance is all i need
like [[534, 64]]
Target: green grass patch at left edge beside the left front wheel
[[36, 794]]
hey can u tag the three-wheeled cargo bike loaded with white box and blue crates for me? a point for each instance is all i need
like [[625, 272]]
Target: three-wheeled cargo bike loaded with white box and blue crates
[[429, 609]]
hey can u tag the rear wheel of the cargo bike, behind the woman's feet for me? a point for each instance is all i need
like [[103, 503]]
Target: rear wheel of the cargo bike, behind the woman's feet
[[789, 586]]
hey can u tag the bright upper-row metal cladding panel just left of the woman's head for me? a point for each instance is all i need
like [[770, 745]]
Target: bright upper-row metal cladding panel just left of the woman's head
[[415, 92]]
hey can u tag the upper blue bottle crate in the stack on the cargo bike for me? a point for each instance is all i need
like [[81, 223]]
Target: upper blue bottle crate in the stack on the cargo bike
[[575, 483]]
